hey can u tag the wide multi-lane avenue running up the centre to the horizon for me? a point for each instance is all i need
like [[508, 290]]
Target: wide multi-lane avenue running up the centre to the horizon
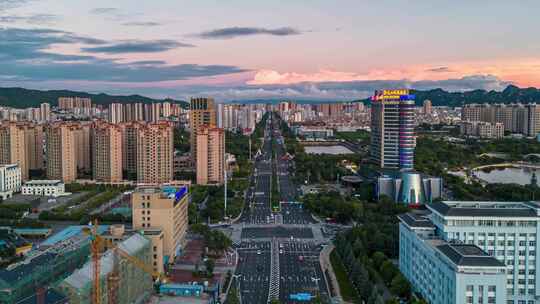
[[278, 251]]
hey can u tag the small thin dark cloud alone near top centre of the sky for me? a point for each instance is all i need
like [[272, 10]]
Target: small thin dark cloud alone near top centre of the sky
[[234, 32]]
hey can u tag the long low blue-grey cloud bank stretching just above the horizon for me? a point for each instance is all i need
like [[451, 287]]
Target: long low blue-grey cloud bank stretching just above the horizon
[[323, 91]]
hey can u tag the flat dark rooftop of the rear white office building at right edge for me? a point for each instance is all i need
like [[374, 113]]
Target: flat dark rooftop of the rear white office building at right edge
[[486, 209]]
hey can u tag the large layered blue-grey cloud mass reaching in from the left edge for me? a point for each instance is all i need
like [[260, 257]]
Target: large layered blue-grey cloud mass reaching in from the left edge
[[26, 55]]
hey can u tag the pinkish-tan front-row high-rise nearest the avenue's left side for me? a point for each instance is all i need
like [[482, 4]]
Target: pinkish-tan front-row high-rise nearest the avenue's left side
[[210, 155]]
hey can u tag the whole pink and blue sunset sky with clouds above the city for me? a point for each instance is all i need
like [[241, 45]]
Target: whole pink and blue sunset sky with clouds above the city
[[242, 50]]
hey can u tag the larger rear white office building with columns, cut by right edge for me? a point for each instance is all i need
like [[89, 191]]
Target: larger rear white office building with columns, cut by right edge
[[507, 231]]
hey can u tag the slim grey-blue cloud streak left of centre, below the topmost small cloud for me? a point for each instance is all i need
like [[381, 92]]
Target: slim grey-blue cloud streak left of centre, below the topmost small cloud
[[135, 46]]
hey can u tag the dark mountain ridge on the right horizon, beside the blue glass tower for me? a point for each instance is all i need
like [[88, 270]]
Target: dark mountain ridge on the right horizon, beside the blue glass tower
[[511, 94]]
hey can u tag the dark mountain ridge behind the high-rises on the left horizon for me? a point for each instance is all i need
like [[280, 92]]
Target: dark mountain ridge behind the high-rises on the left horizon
[[24, 98]]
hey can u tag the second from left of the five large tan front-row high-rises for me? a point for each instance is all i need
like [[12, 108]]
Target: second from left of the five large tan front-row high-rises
[[60, 152]]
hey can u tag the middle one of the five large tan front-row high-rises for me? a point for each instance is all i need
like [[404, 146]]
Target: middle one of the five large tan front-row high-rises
[[107, 153]]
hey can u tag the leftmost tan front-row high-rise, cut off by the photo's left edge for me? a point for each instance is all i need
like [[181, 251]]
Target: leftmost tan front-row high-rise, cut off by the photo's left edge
[[13, 147]]
